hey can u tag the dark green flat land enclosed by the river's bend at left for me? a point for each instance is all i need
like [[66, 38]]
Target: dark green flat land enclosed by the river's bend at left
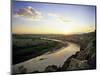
[[27, 47]]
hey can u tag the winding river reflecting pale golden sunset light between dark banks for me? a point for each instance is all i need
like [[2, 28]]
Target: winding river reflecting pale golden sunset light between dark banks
[[56, 58]]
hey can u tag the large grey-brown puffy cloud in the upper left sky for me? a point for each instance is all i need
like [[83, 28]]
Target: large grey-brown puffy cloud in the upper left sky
[[28, 13]]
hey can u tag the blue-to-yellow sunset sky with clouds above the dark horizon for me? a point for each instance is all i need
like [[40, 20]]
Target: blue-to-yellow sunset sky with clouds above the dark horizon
[[50, 18]]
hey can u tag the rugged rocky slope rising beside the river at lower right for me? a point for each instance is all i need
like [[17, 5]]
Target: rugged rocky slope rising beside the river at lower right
[[84, 59]]
